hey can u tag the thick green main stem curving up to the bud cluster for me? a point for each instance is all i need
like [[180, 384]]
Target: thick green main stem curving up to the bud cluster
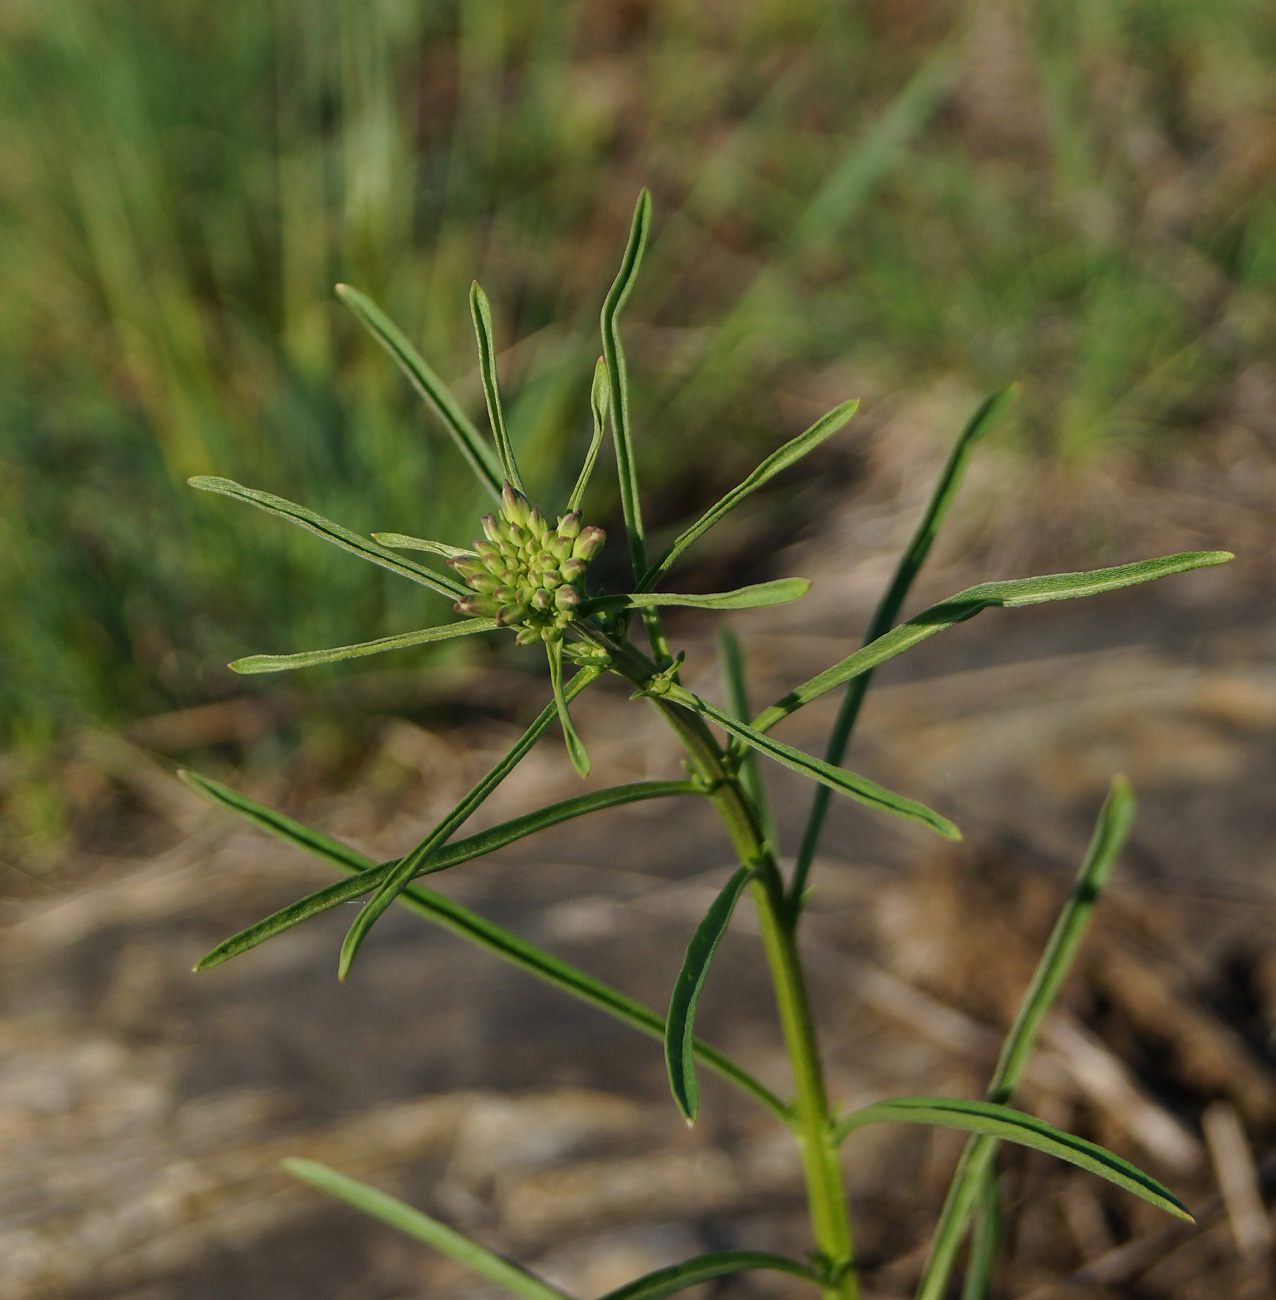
[[811, 1123]]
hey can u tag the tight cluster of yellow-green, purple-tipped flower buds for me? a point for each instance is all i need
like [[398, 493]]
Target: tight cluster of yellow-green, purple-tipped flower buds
[[526, 573]]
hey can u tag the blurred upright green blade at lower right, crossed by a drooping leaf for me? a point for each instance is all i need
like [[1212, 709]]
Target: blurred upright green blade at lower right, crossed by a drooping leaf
[[978, 1162]]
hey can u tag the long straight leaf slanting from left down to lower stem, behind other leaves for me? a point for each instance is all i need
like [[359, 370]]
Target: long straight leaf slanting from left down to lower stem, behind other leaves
[[476, 930]]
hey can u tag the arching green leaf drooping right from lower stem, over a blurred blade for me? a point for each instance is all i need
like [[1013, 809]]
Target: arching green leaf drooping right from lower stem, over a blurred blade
[[989, 1119]]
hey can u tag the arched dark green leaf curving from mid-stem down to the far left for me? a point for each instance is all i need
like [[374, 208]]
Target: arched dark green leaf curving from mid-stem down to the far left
[[449, 856]]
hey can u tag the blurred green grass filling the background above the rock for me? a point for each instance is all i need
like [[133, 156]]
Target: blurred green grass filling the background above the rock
[[1078, 196]]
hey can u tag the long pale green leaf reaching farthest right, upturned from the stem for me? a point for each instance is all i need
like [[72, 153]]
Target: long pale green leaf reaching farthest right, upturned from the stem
[[966, 605]]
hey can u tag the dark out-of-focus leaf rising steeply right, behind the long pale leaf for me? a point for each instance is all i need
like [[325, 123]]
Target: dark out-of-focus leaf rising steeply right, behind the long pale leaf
[[884, 619]]
